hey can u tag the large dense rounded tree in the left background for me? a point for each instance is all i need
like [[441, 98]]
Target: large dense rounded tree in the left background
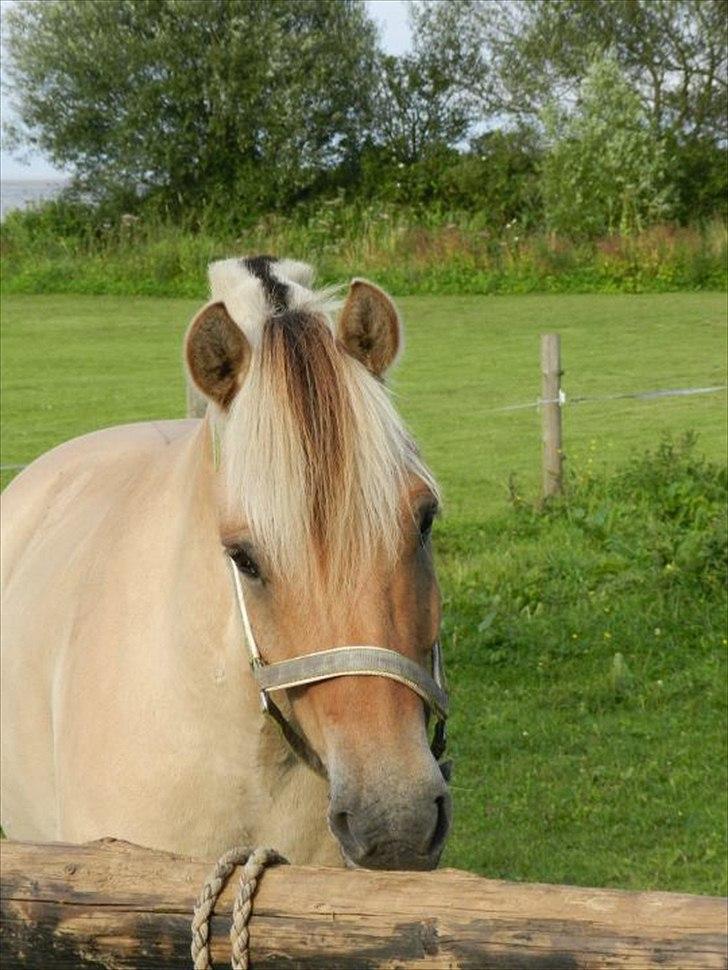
[[230, 103]]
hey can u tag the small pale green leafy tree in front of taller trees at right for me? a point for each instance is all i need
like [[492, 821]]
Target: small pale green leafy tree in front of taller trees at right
[[604, 168]]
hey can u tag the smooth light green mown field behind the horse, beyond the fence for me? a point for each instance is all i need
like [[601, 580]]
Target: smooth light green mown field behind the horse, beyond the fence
[[71, 364]]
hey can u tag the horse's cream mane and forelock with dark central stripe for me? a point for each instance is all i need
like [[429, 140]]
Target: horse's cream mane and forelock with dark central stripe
[[312, 449]]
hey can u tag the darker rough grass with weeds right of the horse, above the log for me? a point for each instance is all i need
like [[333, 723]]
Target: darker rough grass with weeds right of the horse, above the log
[[585, 642]]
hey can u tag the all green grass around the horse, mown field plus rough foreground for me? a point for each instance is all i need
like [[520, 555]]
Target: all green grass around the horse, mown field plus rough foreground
[[585, 644]]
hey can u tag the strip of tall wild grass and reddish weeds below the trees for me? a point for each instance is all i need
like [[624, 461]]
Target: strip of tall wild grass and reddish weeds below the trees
[[66, 248]]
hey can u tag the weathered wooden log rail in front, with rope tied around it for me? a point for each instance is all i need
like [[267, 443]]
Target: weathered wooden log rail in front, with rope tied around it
[[114, 905]]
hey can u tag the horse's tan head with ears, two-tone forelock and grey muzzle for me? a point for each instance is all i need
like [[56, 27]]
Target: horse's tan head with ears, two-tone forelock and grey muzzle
[[325, 508]]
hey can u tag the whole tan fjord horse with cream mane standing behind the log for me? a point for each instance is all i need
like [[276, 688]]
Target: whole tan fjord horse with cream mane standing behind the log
[[128, 707]]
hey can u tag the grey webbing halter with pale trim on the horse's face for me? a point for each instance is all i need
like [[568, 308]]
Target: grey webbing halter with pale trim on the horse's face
[[352, 661]]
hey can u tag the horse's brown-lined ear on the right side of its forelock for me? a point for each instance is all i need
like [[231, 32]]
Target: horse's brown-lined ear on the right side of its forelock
[[369, 327]]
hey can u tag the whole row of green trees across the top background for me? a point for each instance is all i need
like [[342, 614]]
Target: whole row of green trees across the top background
[[240, 107]]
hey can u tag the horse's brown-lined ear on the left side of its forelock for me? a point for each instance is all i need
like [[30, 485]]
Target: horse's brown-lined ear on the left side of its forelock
[[217, 353]]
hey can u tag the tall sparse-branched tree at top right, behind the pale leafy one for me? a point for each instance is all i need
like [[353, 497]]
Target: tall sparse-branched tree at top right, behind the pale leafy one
[[512, 57]]
